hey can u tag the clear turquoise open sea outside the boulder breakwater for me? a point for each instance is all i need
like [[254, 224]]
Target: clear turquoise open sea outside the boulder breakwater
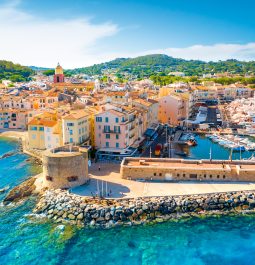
[[27, 240]]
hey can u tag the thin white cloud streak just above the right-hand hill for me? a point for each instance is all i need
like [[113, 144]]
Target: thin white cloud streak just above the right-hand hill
[[214, 52]]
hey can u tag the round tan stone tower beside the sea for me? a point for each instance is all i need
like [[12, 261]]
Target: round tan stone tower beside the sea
[[65, 167]]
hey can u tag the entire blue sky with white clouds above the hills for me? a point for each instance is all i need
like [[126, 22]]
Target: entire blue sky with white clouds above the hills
[[80, 33]]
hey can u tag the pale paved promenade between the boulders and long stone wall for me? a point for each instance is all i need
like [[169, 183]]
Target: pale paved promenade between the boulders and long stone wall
[[108, 178]]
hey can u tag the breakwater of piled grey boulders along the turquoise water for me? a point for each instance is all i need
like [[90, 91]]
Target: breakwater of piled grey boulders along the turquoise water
[[63, 207]]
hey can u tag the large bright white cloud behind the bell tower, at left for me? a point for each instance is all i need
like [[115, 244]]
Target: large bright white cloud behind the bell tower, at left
[[30, 40]]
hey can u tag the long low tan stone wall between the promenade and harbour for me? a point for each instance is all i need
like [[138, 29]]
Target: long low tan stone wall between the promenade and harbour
[[183, 170]]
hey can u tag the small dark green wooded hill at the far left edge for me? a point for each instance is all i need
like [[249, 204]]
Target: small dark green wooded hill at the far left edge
[[14, 72]]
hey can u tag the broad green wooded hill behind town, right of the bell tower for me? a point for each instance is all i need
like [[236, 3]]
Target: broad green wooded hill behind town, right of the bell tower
[[148, 65]]
